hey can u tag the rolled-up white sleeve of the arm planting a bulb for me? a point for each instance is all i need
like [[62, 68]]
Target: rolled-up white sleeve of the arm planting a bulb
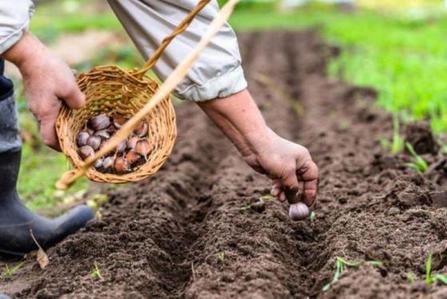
[[218, 71]]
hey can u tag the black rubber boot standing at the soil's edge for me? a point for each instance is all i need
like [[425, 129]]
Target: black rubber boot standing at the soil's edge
[[17, 221]]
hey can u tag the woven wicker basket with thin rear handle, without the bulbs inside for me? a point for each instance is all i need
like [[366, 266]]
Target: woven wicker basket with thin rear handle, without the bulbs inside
[[110, 89]]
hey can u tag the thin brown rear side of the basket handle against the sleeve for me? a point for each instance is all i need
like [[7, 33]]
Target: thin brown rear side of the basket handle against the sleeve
[[167, 40]]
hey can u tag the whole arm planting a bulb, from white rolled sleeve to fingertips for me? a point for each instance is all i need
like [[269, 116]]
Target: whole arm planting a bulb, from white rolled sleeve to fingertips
[[217, 83]]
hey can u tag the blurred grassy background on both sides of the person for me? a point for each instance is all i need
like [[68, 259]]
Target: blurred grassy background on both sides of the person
[[397, 47]]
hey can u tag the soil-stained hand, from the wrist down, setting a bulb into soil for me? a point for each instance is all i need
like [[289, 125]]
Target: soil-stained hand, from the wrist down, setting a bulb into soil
[[294, 174]]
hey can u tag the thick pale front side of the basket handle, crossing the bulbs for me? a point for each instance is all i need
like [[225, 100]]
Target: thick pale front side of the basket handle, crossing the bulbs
[[162, 92]]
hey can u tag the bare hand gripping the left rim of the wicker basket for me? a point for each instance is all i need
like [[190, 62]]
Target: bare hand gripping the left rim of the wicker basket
[[48, 82]]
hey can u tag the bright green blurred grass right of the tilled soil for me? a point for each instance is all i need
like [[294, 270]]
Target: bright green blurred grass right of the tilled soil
[[404, 58]]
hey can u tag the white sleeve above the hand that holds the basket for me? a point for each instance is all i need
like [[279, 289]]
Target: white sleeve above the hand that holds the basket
[[14, 20]]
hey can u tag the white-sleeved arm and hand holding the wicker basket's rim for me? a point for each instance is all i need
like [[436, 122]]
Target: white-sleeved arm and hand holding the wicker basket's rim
[[47, 79]]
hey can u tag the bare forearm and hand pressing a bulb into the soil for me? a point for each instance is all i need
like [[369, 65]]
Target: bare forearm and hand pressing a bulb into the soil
[[288, 164]]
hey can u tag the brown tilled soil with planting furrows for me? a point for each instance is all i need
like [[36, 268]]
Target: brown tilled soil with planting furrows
[[186, 234]]
